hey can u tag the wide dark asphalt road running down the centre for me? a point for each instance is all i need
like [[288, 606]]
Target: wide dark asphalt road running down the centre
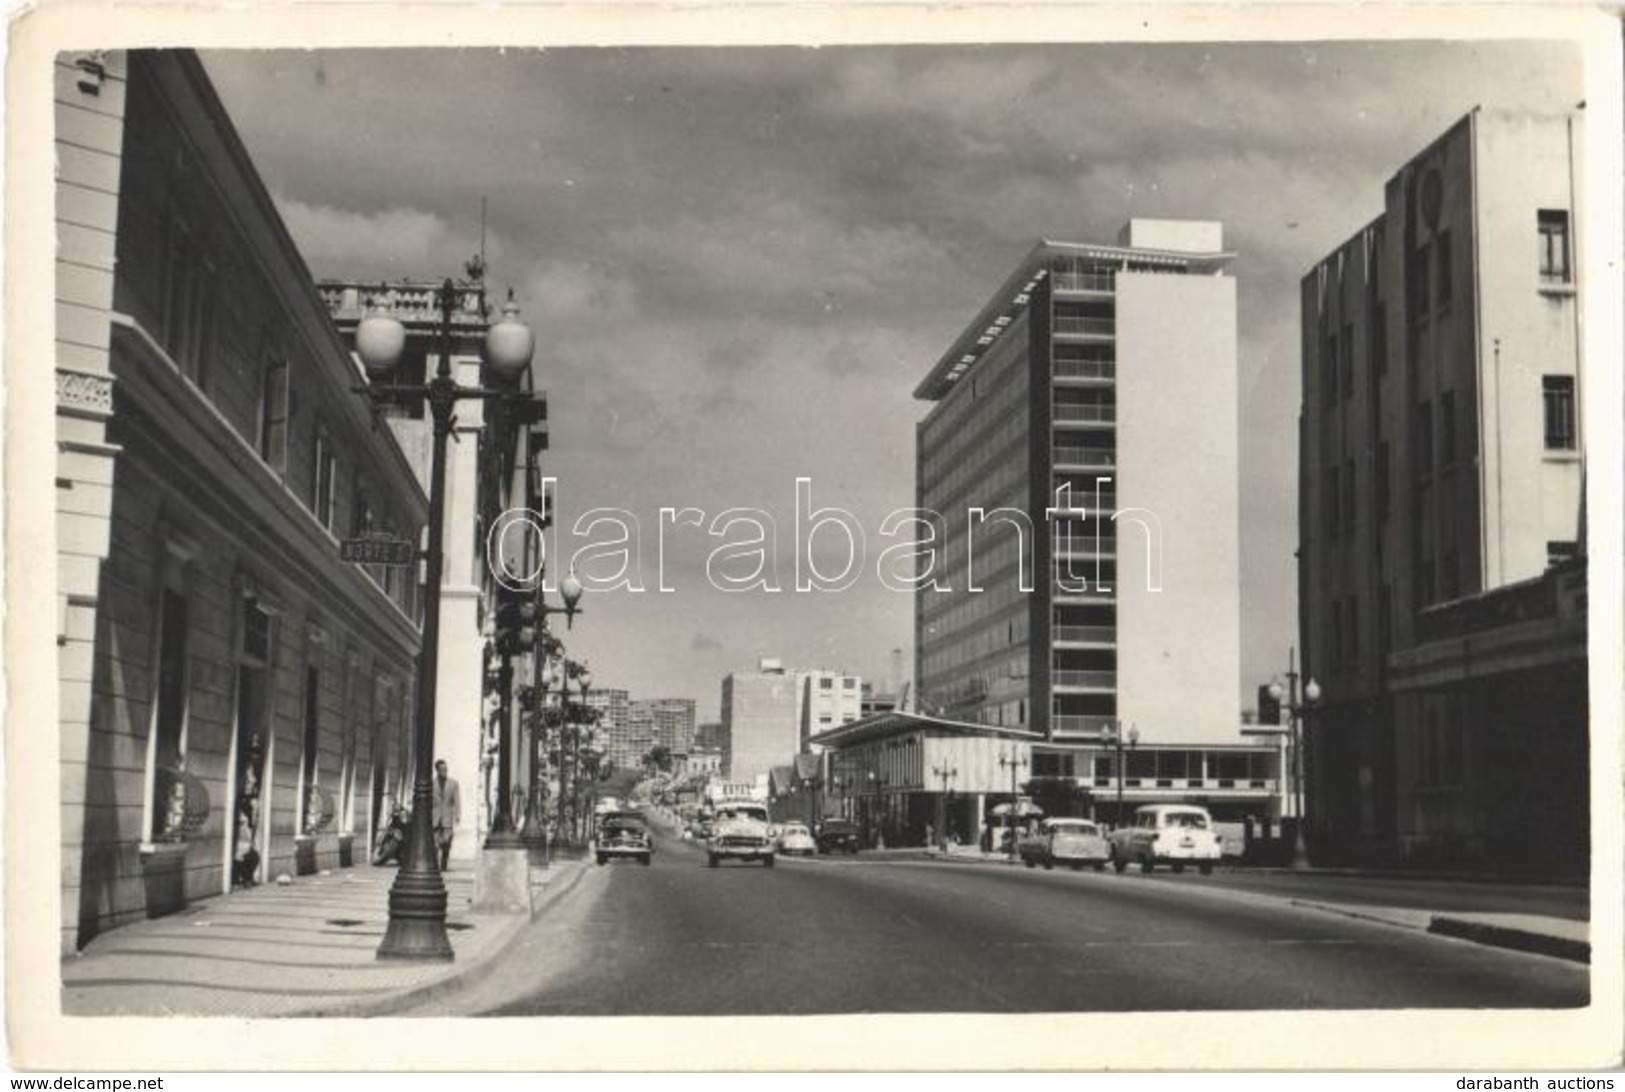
[[873, 935]]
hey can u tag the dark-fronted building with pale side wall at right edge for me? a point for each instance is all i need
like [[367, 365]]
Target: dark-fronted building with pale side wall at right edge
[[1442, 524]]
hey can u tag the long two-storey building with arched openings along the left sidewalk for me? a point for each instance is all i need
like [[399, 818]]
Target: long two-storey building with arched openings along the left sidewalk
[[236, 701]]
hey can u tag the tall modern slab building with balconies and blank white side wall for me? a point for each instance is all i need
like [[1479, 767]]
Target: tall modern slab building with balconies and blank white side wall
[[1109, 371]]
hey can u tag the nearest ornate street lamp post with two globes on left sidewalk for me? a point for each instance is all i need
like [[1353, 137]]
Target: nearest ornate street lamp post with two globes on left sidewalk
[[417, 927]]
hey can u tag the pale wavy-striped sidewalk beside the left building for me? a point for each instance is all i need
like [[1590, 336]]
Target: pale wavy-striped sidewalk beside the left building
[[301, 950]]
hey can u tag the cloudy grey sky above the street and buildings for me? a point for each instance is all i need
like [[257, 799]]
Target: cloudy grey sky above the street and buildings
[[742, 261]]
